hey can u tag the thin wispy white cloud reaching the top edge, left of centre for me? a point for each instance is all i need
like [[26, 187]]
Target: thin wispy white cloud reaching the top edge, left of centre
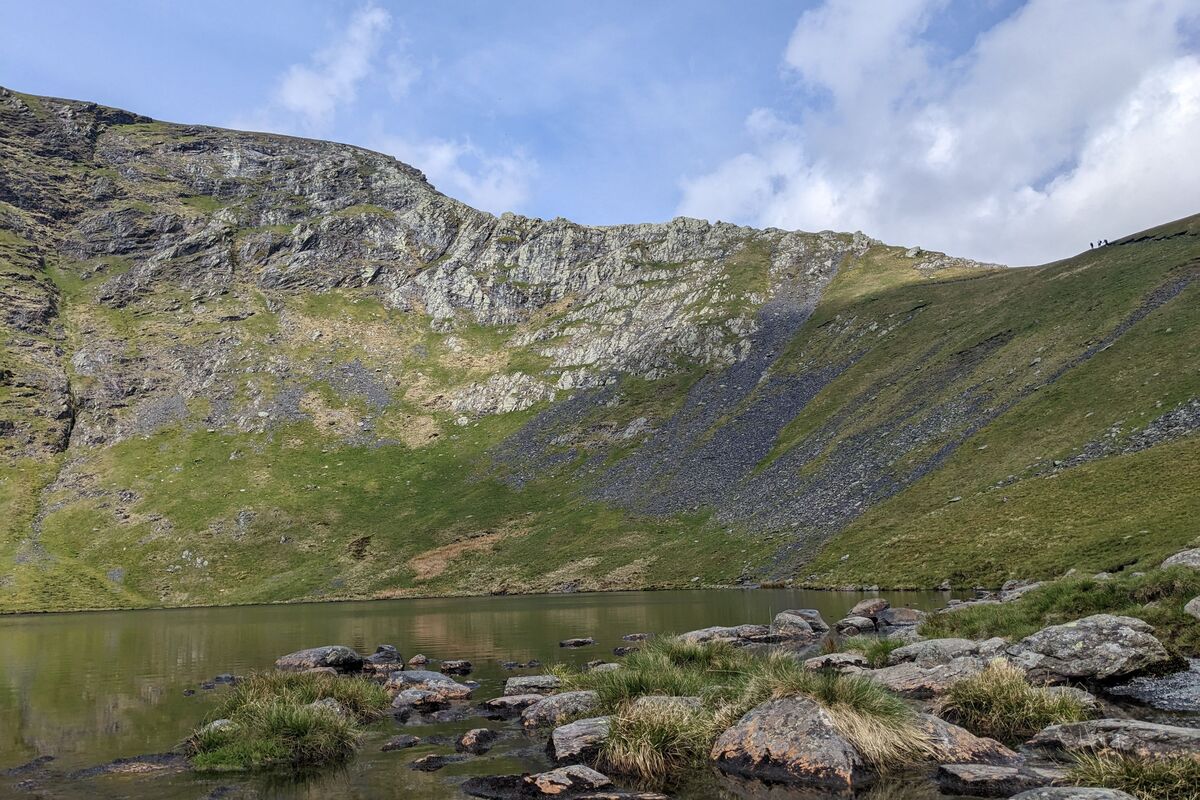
[[317, 89]]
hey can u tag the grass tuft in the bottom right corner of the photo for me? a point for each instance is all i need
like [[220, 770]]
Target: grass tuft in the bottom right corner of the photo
[[1169, 779]]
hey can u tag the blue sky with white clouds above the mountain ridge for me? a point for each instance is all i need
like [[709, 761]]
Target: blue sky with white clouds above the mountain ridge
[[995, 129]]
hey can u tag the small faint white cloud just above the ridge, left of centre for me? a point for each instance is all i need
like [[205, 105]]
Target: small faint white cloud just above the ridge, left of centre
[[467, 173]]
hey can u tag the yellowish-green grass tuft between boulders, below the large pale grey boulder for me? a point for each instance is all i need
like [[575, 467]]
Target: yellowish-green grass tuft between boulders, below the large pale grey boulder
[[1000, 703]]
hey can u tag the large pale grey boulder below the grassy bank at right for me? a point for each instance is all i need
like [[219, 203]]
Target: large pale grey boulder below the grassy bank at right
[[1099, 648]]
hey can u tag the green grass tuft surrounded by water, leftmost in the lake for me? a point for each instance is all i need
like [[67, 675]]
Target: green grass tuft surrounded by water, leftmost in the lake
[[273, 724]]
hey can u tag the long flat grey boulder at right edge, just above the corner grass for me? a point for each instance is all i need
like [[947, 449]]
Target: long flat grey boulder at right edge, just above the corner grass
[[1124, 737]]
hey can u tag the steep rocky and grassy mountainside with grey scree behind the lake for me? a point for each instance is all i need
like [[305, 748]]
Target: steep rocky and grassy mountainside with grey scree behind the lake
[[242, 368]]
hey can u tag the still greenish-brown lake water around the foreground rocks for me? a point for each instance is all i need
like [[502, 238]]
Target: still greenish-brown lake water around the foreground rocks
[[92, 688]]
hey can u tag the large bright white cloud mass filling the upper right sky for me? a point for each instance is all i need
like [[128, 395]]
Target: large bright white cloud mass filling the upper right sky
[[1066, 123]]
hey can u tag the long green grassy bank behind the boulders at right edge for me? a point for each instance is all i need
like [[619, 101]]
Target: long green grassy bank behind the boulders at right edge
[[1159, 598]]
